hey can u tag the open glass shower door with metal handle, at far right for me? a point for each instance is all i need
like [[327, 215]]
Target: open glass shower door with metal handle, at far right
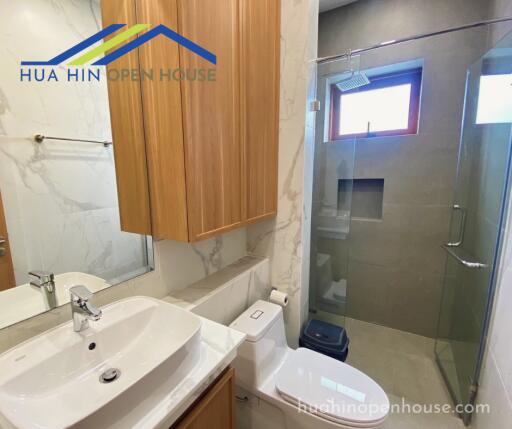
[[477, 222]]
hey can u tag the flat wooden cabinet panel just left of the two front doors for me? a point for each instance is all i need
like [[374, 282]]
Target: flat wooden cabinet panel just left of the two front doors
[[163, 124]]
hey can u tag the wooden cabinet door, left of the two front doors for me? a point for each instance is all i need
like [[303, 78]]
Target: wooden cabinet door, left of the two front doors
[[211, 118]]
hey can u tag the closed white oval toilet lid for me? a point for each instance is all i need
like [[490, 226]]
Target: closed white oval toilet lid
[[331, 389]]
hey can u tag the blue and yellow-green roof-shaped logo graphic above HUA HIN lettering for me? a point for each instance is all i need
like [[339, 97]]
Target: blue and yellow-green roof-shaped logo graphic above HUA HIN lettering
[[117, 40]]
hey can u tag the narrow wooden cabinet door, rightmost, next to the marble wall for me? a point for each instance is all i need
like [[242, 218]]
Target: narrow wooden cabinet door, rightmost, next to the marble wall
[[260, 68]]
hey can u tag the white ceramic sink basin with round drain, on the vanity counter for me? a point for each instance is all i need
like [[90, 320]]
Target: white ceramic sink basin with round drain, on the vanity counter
[[53, 380]]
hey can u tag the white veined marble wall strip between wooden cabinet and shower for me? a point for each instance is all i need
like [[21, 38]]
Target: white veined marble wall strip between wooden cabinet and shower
[[282, 239]]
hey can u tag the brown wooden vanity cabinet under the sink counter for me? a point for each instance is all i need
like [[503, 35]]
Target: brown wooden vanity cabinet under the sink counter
[[215, 409]]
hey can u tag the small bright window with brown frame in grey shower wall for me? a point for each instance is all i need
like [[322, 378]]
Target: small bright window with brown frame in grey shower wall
[[387, 106]]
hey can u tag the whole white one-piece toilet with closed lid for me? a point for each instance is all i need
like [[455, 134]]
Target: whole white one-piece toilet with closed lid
[[310, 389]]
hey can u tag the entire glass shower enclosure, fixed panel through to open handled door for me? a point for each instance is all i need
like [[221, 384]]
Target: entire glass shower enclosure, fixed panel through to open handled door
[[461, 275]]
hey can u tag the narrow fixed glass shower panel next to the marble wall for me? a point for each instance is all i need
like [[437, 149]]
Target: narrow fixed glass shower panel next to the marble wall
[[332, 200]]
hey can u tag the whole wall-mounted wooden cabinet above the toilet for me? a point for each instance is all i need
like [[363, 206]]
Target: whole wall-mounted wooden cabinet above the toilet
[[196, 158]]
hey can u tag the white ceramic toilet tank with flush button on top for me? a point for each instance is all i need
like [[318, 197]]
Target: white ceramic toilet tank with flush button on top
[[265, 346]]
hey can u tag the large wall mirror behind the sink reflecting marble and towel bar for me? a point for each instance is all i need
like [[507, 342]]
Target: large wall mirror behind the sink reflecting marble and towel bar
[[58, 201]]
